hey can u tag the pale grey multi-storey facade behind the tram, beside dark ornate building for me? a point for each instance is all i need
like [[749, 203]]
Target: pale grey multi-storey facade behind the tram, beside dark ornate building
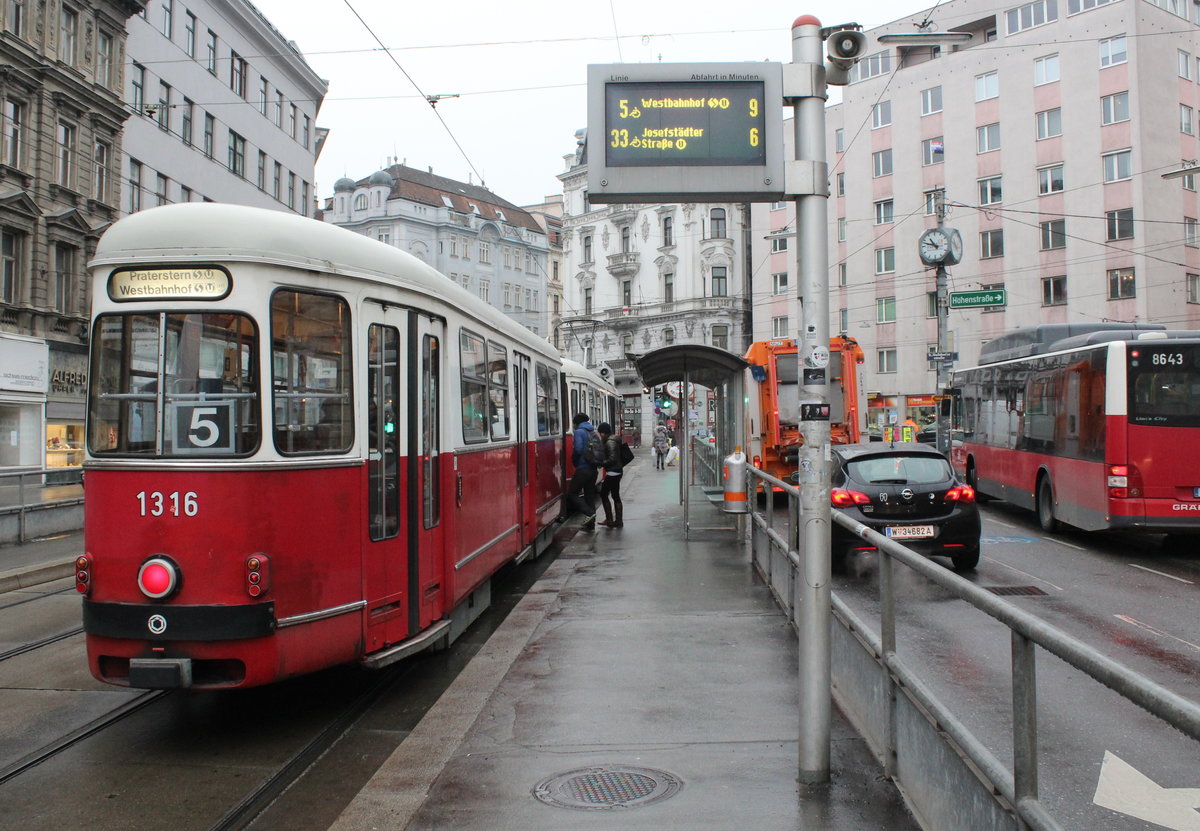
[[224, 109]]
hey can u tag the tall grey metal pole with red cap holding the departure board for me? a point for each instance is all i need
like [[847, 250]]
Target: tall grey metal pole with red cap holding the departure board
[[814, 599]]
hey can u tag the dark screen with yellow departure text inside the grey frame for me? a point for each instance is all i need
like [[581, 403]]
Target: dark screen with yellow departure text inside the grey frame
[[686, 123]]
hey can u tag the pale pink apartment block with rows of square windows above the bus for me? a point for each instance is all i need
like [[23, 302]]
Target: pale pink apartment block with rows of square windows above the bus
[[1049, 134]]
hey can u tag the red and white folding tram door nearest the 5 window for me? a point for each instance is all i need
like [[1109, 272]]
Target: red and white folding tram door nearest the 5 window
[[404, 519]]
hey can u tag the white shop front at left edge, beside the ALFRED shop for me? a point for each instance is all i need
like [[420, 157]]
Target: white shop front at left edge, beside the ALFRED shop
[[25, 381]]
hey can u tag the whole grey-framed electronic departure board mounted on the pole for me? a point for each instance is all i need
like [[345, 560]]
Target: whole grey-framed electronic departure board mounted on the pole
[[685, 133]]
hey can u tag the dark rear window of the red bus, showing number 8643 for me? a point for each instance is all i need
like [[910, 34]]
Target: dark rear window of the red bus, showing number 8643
[[1165, 385]]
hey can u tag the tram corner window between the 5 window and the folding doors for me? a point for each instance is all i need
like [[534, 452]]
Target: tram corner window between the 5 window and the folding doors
[[311, 373]]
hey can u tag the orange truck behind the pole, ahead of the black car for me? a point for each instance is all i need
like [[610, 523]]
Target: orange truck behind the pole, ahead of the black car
[[773, 402]]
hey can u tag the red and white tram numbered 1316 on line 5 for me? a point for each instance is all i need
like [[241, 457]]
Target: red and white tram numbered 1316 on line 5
[[304, 449]]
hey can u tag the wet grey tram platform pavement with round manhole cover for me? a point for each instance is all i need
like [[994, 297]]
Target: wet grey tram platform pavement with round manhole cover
[[645, 683]]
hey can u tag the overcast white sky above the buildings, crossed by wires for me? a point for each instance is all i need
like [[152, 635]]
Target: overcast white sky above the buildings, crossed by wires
[[520, 70]]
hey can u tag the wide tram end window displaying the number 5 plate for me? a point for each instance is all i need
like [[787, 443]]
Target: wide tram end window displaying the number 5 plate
[[173, 386]]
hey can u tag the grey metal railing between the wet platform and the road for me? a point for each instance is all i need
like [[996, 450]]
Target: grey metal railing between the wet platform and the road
[[778, 559]]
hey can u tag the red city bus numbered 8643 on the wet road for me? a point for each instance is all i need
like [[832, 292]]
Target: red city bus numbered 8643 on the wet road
[[1094, 426]]
